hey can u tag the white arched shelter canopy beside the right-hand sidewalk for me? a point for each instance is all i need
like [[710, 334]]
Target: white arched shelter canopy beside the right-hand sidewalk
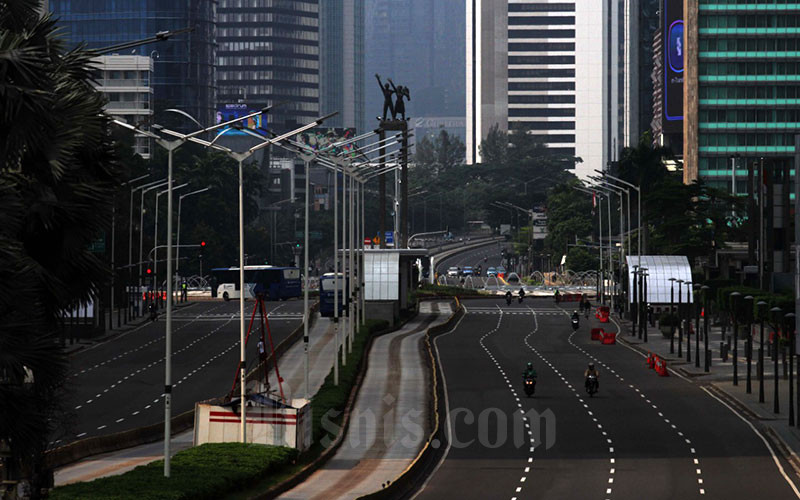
[[660, 268]]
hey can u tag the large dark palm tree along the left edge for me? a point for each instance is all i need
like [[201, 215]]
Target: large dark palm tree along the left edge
[[57, 180]]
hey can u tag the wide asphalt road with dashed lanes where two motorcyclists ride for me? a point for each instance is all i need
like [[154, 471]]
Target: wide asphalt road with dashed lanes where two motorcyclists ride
[[641, 436]]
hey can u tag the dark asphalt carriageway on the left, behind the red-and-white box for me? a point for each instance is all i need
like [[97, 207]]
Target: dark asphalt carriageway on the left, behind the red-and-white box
[[118, 385]]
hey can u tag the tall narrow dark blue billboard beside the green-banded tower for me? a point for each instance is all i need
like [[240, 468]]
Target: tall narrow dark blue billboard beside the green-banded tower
[[672, 24]]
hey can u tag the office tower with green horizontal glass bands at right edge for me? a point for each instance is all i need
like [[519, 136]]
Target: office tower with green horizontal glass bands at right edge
[[741, 91]]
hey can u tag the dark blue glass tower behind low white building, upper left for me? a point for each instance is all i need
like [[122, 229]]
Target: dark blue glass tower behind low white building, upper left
[[183, 69]]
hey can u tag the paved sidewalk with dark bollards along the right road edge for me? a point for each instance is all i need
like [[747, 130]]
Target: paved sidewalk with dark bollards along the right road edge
[[719, 379]]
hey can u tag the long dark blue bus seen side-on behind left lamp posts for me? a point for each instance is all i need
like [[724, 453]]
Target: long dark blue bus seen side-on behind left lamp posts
[[277, 283]]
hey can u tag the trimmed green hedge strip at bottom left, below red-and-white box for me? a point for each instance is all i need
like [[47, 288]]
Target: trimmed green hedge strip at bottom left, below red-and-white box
[[208, 471]]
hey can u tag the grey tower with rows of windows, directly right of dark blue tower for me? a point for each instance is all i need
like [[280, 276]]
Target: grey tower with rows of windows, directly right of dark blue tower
[[268, 54]]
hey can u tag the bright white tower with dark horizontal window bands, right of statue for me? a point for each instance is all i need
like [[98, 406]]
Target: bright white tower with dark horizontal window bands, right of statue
[[562, 71]]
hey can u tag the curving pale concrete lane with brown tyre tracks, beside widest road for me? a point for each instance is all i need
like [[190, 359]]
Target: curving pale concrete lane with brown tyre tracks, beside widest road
[[388, 425]]
